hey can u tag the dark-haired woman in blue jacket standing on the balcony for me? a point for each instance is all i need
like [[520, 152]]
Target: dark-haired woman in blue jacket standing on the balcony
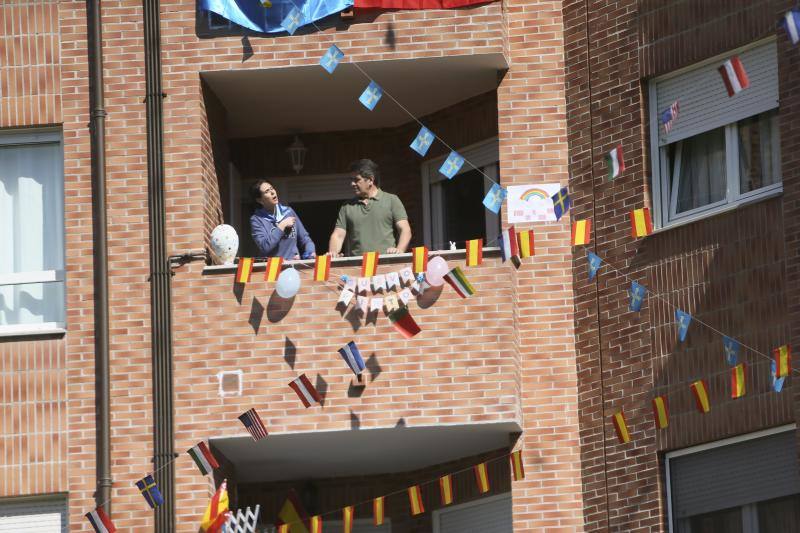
[[276, 228]]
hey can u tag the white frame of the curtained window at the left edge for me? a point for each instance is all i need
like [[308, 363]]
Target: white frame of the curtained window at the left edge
[[45, 276]]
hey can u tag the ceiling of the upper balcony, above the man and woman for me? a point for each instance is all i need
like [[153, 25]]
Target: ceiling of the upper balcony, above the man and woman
[[279, 101]]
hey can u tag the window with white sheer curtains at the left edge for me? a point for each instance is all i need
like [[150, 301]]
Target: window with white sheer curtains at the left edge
[[31, 233]]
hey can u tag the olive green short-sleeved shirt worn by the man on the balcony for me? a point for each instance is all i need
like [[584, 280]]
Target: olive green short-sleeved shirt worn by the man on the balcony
[[370, 226]]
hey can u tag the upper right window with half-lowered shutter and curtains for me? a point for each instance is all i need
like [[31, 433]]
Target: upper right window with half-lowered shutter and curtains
[[720, 151]]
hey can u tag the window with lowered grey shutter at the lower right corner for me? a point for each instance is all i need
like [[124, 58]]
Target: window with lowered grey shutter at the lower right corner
[[746, 484]]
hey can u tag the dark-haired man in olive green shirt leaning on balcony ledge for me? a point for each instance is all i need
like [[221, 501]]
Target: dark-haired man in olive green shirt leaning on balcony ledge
[[369, 220]]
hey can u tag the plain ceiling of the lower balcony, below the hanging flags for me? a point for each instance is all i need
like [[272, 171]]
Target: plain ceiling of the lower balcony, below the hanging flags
[[358, 452]]
